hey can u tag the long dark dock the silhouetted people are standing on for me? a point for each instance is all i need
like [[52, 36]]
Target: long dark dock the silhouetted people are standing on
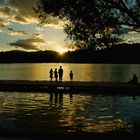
[[70, 87]]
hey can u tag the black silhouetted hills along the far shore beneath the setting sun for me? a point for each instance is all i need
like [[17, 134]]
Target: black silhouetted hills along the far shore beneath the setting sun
[[123, 53]]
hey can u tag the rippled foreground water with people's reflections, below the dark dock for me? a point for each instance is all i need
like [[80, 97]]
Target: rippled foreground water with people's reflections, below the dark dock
[[62, 113]]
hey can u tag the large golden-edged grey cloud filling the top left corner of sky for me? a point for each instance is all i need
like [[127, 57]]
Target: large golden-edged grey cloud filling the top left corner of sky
[[19, 11]]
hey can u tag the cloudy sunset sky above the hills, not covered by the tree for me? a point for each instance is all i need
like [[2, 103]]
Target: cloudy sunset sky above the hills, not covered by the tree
[[19, 29]]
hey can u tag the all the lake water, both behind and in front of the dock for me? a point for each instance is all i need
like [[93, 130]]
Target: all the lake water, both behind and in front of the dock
[[45, 112]]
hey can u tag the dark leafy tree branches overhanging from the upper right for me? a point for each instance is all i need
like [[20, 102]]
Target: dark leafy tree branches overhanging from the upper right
[[92, 23]]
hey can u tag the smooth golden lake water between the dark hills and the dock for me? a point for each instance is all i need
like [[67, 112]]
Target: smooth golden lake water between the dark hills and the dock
[[82, 72]]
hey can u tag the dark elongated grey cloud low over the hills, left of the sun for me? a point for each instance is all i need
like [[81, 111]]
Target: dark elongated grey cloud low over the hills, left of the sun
[[29, 44]]
